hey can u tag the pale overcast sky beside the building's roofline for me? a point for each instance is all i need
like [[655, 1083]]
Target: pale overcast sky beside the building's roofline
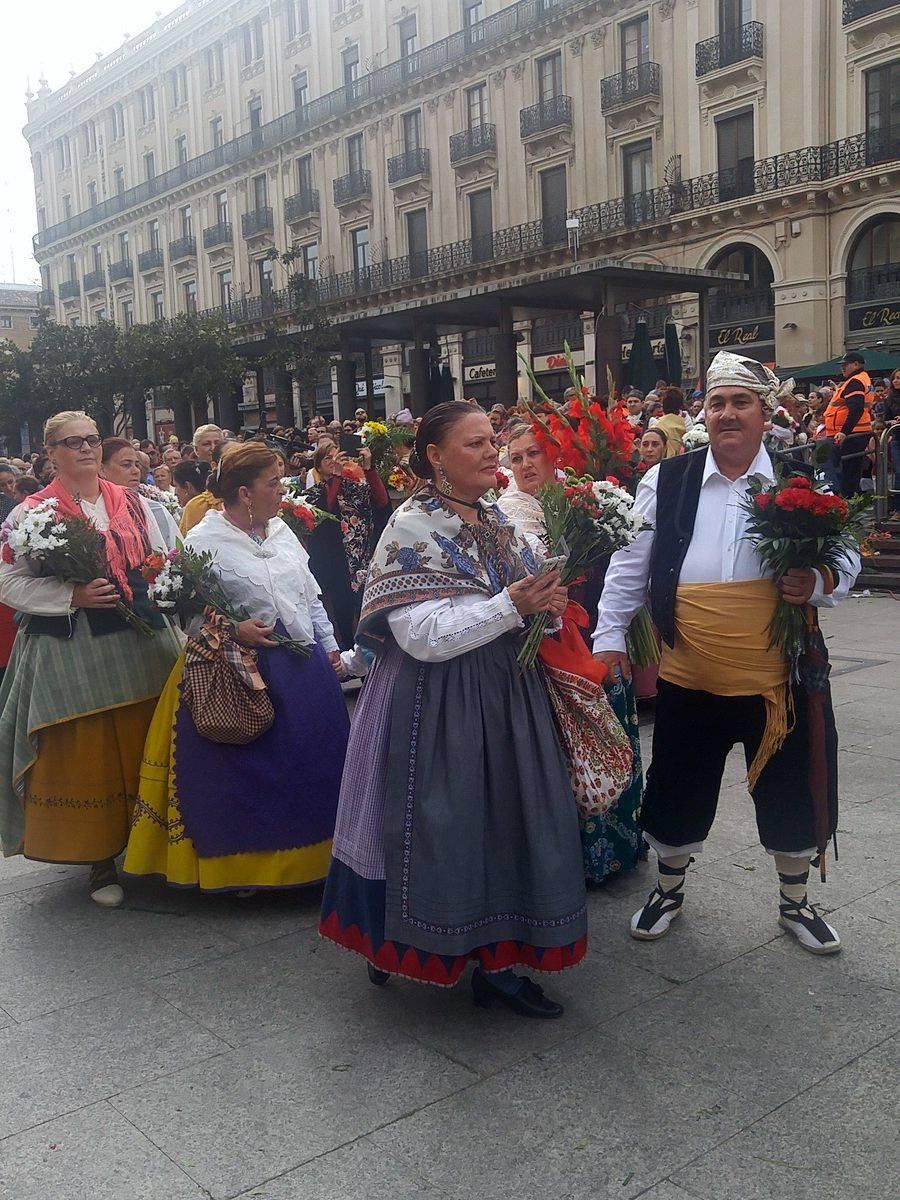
[[53, 39]]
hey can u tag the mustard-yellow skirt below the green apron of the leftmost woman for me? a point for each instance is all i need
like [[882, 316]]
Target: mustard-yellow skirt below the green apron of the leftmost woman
[[81, 790]]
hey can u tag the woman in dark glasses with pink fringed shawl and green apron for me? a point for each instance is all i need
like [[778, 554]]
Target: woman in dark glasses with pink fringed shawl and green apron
[[81, 689]]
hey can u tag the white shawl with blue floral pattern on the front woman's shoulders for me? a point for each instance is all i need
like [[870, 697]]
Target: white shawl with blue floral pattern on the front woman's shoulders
[[428, 553]]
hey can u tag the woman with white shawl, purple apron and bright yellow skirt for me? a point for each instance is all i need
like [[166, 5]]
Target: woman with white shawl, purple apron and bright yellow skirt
[[237, 818]]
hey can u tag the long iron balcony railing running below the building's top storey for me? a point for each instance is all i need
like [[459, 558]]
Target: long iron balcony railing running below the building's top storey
[[515, 20]]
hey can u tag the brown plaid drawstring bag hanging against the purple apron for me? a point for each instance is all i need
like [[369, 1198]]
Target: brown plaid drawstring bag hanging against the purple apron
[[223, 687]]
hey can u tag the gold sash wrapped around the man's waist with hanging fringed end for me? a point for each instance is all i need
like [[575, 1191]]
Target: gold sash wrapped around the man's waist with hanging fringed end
[[723, 647]]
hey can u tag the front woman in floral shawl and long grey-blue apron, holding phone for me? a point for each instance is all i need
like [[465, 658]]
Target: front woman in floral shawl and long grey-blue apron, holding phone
[[458, 836]]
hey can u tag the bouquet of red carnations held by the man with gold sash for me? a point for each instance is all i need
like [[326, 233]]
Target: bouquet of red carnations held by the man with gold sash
[[793, 525]]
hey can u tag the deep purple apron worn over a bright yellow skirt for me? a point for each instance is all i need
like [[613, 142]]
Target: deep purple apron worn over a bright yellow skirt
[[279, 793]]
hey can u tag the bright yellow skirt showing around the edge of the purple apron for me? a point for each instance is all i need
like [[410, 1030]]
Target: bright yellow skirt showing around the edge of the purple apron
[[159, 844]]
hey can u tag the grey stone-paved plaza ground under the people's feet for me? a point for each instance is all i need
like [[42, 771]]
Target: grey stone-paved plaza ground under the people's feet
[[190, 1047]]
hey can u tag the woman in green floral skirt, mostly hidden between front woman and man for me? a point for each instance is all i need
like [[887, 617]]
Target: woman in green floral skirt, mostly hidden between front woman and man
[[610, 826]]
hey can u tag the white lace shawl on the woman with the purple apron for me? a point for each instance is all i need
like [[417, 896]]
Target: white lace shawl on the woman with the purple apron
[[272, 579]]
